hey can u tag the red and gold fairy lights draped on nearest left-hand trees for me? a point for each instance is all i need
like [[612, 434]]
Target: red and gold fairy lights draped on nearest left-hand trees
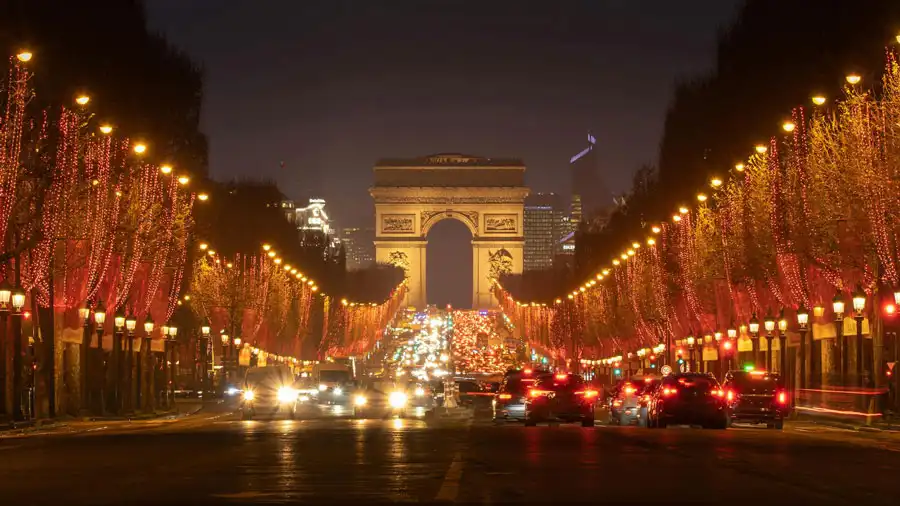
[[95, 218]]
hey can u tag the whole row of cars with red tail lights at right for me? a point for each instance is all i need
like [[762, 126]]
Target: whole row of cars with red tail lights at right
[[745, 397]]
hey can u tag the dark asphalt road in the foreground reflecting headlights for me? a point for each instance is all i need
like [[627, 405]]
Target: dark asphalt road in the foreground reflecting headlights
[[212, 457]]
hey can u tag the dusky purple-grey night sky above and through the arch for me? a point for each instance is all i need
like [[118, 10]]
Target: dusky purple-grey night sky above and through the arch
[[330, 86]]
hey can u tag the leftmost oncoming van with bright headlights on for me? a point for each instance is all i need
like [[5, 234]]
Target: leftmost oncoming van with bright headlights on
[[269, 392]]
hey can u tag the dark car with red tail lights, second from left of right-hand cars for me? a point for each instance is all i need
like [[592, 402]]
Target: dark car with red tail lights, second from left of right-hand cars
[[563, 397]]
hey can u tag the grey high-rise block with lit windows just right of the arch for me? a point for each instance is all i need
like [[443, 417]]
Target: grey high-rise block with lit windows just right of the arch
[[543, 230]]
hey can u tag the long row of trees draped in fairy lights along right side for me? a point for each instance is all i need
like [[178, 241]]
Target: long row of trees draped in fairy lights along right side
[[818, 202]]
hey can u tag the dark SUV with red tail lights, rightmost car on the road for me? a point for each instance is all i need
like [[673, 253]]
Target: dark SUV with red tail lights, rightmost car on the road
[[756, 397]]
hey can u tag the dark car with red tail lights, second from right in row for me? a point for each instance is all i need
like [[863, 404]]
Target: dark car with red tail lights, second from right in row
[[688, 399]]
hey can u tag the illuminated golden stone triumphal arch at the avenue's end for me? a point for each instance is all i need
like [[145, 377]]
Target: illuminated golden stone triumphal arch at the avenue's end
[[486, 194]]
